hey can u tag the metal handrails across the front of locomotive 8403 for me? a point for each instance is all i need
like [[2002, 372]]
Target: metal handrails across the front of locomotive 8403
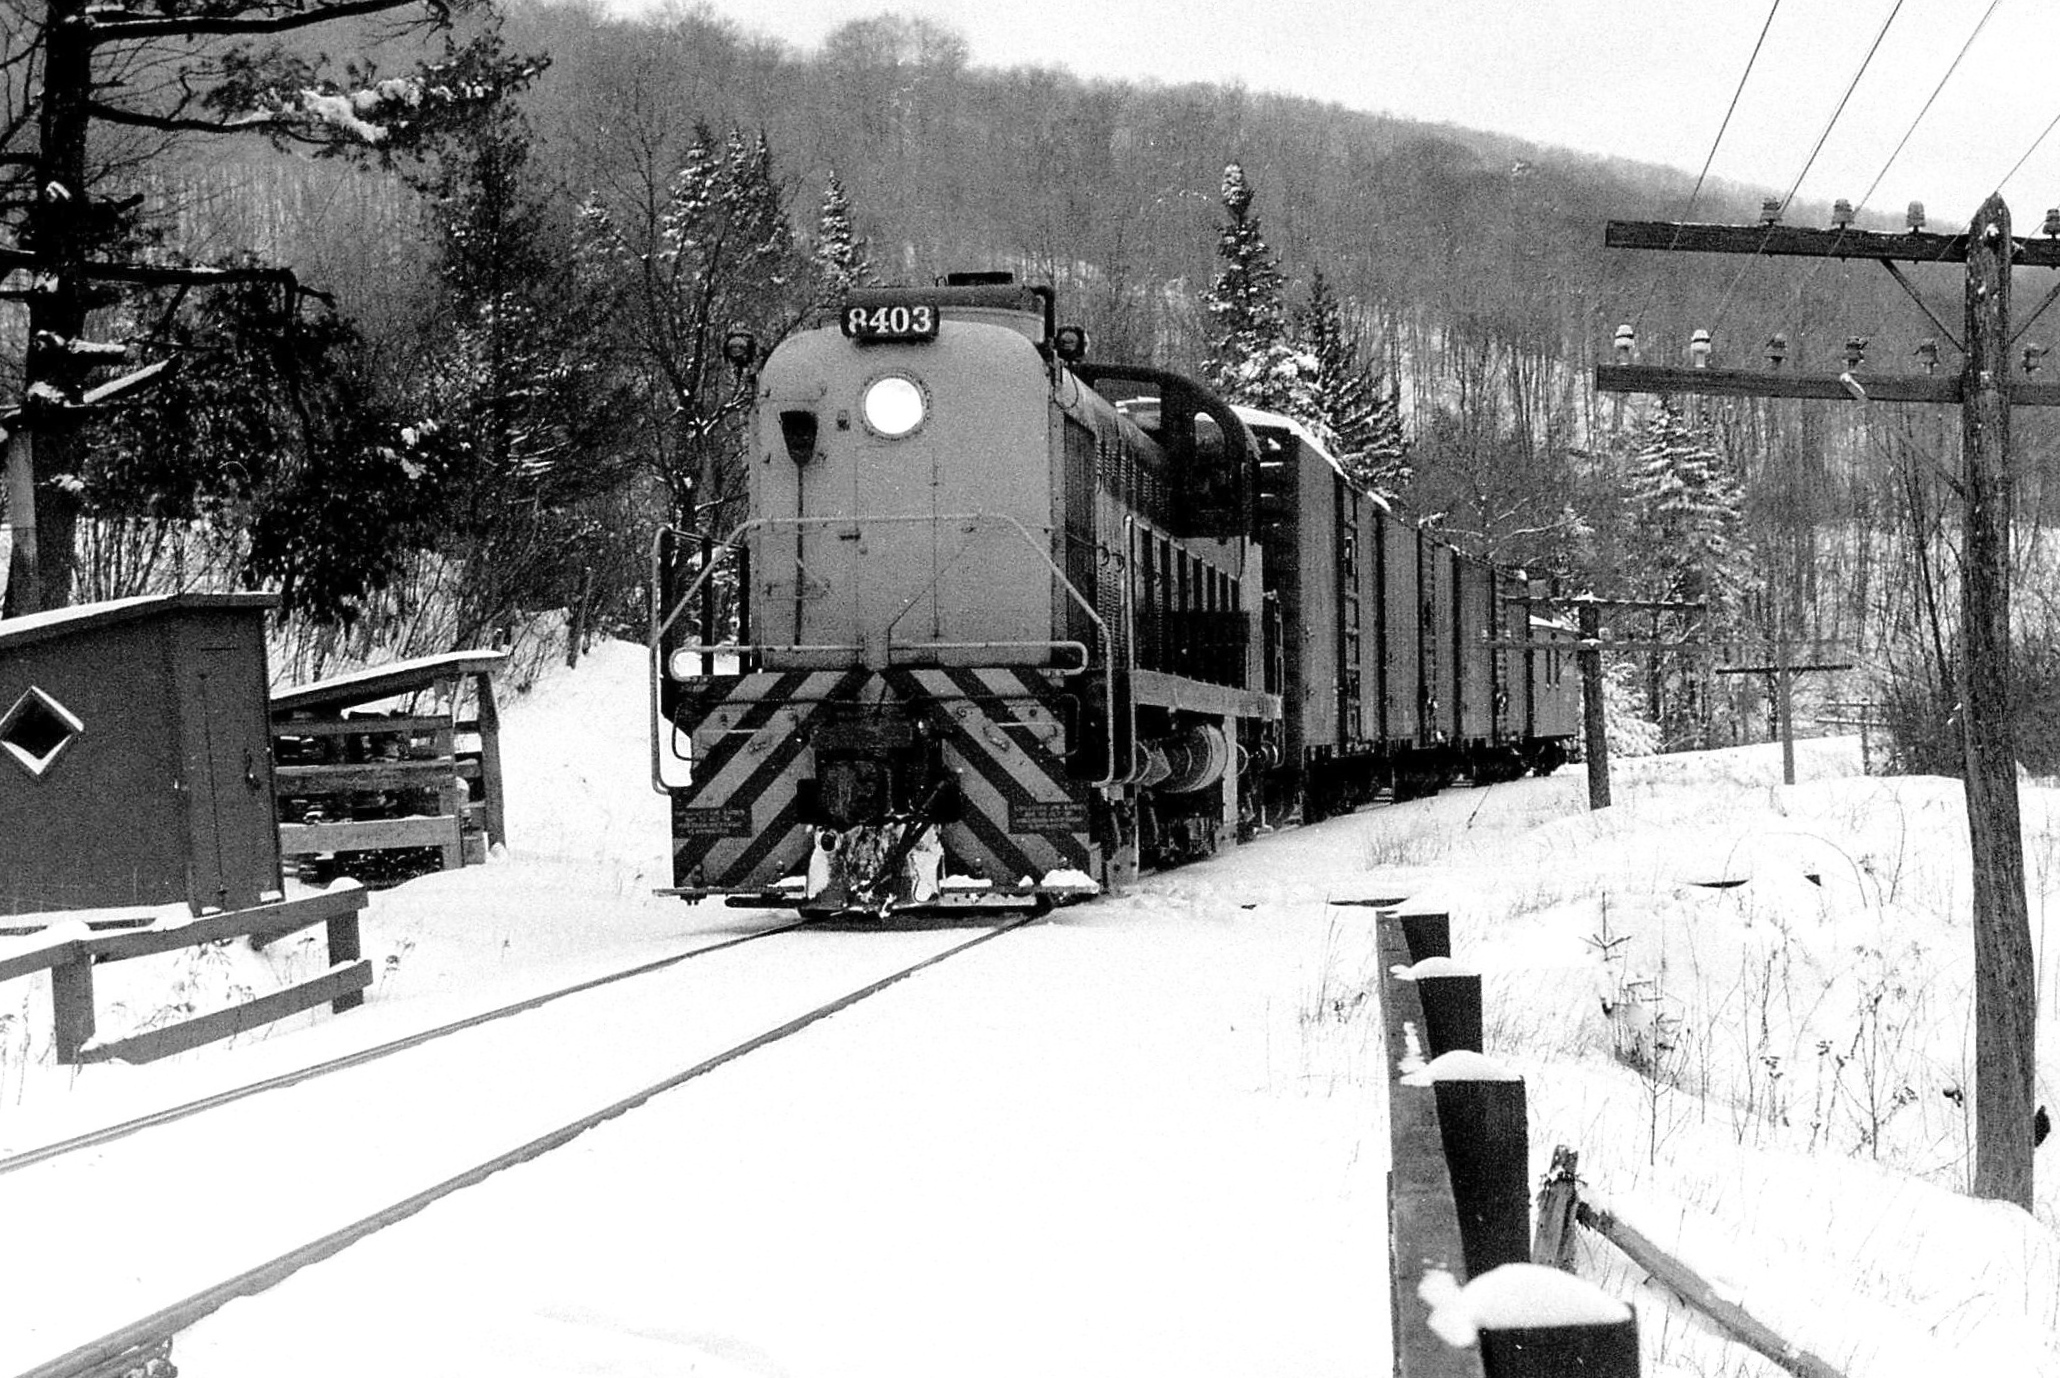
[[664, 619]]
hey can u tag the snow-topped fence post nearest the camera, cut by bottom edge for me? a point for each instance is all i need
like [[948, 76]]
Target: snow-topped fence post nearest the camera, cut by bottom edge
[[1532, 1321]]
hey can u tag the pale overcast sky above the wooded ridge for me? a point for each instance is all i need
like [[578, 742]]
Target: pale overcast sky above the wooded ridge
[[1641, 79]]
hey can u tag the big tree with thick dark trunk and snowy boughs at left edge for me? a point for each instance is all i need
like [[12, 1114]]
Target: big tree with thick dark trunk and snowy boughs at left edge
[[98, 88]]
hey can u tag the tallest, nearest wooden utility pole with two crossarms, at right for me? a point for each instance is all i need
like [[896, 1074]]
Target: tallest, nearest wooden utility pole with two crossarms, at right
[[2005, 1002]]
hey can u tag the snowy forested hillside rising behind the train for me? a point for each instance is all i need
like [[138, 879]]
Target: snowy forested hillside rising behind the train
[[535, 302]]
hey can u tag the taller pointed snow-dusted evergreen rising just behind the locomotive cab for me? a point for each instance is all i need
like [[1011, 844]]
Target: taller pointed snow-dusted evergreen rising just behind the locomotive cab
[[1251, 357]]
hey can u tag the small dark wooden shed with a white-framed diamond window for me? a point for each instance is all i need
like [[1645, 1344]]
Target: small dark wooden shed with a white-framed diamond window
[[137, 757]]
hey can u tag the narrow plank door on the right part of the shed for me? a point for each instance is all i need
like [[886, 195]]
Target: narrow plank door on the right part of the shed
[[230, 780]]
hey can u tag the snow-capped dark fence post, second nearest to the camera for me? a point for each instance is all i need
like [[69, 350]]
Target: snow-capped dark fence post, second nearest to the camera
[[1482, 1119]]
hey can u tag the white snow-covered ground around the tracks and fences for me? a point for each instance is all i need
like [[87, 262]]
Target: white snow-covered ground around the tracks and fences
[[1146, 1136]]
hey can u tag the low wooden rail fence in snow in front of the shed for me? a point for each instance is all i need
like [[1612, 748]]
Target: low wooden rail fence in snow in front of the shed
[[71, 975]]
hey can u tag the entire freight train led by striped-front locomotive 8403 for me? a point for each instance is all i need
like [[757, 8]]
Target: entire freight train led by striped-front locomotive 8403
[[1012, 625]]
